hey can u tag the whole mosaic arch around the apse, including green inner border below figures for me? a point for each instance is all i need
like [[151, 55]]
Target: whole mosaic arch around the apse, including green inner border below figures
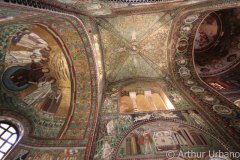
[[71, 130]]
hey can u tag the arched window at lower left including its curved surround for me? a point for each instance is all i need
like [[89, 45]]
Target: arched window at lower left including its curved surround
[[11, 132]]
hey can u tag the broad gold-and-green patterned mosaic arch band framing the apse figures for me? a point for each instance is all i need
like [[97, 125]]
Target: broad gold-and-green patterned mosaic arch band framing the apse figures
[[81, 57]]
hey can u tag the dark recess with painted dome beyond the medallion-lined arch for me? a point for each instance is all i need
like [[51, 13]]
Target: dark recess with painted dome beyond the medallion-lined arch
[[219, 65]]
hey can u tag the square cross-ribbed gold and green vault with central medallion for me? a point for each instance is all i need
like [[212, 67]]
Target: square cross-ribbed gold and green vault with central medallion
[[135, 46]]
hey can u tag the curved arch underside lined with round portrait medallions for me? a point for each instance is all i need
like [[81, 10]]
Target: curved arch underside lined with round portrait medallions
[[183, 71]]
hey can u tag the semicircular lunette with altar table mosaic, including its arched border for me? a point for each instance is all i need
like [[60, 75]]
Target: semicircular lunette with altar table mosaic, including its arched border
[[155, 131]]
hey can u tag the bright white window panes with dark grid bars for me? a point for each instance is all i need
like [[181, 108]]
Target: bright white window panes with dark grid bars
[[8, 138]]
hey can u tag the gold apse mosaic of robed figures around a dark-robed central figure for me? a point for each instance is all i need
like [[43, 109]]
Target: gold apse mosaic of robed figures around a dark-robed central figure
[[30, 70]]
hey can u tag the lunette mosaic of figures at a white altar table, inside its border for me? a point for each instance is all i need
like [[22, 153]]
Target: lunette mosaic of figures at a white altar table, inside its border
[[155, 139]]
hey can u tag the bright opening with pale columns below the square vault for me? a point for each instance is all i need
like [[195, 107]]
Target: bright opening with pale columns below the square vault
[[144, 97]]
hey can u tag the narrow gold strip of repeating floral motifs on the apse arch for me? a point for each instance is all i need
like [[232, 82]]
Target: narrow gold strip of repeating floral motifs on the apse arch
[[82, 78]]
